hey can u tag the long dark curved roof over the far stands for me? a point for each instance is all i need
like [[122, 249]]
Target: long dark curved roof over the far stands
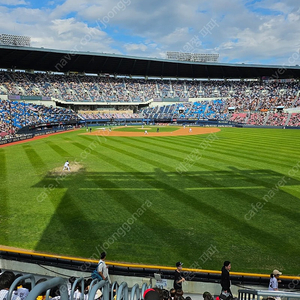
[[40, 59]]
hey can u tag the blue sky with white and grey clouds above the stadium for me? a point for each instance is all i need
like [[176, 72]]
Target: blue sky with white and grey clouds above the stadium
[[241, 31]]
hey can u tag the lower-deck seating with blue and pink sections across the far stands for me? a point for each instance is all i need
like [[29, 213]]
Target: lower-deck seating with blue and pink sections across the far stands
[[15, 115]]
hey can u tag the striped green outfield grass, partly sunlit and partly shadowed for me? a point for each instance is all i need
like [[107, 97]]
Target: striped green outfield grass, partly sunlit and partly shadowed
[[129, 198]]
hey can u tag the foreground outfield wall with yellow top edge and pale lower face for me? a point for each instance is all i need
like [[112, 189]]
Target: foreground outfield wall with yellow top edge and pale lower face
[[197, 282]]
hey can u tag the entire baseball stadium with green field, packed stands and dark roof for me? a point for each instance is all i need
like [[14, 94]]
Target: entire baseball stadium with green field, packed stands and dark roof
[[196, 162]]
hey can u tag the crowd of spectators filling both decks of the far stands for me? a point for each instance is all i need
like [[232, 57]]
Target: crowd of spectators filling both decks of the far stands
[[251, 102]]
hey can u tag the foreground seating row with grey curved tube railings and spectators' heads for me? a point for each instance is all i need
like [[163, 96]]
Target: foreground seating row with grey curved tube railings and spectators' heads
[[25, 287]]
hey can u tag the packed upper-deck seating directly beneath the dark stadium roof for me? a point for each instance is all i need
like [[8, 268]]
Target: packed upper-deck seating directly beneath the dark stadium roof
[[246, 95]]
